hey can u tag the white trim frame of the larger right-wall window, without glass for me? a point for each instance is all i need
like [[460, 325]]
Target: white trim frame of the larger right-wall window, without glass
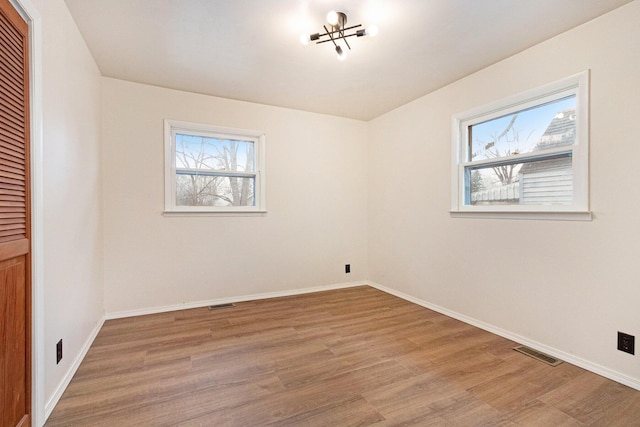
[[577, 84]]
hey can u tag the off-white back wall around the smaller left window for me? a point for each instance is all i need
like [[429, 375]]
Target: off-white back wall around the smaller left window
[[316, 201]]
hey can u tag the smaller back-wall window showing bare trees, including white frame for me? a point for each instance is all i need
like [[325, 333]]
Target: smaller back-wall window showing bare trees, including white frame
[[213, 169]]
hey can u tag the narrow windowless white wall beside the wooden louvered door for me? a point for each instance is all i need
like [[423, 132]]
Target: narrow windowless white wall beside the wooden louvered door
[[72, 217]]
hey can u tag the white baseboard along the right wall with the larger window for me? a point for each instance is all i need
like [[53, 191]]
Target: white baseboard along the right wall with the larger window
[[569, 358]]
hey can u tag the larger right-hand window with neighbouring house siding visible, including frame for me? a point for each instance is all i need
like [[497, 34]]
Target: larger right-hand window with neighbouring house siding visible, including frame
[[525, 156]]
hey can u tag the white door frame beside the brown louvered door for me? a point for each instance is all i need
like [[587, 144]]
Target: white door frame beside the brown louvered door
[[30, 14]]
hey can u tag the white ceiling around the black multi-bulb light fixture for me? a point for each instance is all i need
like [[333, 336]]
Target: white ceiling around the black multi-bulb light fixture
[[250, 50]]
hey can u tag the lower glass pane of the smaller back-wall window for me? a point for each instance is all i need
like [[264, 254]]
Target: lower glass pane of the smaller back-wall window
[[207, 190]]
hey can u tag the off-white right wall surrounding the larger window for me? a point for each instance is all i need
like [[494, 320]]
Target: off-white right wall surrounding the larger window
[[566, 285]]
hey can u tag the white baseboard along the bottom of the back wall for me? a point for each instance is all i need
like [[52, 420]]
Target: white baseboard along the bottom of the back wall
[[205, 303]]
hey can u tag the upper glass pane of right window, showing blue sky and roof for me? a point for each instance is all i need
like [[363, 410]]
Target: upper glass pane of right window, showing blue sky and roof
[[542, 127]]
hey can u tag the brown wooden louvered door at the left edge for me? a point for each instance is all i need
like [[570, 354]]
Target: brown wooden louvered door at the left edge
[[15, 221]]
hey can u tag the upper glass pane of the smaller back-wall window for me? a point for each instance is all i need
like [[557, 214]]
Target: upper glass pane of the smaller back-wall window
[[202, 152]]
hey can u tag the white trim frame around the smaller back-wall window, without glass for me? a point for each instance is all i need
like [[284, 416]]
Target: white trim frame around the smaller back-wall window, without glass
[[170, 207]]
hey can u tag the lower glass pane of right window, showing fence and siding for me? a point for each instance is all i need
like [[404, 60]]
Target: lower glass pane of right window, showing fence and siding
[[543, 182]]
